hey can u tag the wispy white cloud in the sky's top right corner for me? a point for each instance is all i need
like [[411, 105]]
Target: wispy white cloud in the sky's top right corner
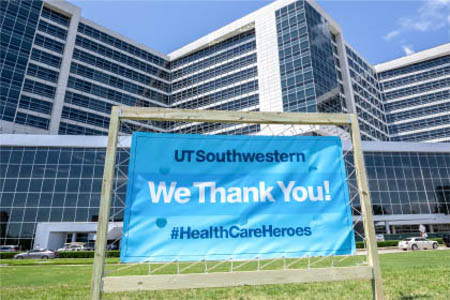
[[431, 15]]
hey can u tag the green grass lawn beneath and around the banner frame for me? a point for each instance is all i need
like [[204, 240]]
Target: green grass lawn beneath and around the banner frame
[[406, 276]]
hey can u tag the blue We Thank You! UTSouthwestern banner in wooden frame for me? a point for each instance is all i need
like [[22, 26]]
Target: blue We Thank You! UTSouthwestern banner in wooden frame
[[193, 197]]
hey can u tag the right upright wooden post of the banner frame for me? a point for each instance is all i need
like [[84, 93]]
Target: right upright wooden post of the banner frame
[[366, 210]]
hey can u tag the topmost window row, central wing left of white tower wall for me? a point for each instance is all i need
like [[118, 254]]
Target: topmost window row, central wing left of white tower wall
[[228, 43]]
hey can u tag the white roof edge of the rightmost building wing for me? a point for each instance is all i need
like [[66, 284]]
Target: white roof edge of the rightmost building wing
[[415, 58]]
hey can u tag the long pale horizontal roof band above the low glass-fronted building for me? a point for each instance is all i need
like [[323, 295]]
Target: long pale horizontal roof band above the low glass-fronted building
[[81, 141]]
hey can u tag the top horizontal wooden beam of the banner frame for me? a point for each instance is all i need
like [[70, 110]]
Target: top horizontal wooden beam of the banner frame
[[220, 116]]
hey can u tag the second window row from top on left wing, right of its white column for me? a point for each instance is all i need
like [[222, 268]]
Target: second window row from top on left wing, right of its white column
[[120, 57]]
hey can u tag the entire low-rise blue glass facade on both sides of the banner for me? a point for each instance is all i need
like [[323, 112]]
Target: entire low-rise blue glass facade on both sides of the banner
[[63, 184]]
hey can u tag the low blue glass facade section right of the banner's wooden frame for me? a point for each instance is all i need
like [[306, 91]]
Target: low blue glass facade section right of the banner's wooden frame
[[407, 182]]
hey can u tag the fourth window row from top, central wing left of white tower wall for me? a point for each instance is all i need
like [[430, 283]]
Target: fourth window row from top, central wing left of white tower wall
[[216, 84]]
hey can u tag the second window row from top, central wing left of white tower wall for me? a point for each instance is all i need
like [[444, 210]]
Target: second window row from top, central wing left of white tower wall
[[213, 60]]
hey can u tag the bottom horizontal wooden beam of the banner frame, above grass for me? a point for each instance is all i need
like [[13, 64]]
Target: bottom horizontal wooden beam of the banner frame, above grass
[[224, 279]]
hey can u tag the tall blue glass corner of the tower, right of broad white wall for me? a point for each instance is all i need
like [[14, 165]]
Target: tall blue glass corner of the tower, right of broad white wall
[[309, 66]]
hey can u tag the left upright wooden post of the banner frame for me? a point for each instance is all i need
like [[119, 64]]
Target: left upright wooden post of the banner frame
[[105, 204]]
